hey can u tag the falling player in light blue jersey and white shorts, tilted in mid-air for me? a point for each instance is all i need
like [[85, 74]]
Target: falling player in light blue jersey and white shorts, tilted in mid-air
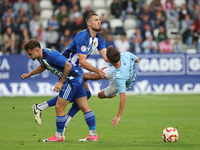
[[122, 75]]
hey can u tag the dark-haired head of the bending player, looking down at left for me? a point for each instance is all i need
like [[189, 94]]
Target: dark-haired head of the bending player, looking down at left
[[32, 48]]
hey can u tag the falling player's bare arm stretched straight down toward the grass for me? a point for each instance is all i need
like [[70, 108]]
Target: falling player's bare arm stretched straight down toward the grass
[[121, 109]]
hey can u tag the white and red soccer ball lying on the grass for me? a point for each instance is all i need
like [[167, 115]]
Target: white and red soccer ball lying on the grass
[[170, 134]]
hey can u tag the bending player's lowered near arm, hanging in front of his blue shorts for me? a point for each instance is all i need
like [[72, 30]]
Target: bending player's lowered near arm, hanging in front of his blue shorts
[[66, 71]]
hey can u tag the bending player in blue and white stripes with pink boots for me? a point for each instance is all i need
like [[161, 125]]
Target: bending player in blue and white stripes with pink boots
[[70, 87]]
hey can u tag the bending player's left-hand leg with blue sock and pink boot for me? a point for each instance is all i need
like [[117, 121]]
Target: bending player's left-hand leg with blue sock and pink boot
[[60, 120]]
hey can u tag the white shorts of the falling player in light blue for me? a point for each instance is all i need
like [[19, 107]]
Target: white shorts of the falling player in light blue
[[110, 76]]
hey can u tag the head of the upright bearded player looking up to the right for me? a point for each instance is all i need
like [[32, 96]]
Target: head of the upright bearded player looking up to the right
[[93, 22]]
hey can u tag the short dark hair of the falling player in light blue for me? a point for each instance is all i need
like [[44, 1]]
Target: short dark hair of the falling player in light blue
[[113, 54]]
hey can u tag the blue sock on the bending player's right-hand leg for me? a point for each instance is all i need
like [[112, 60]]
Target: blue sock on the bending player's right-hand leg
[[90, 120]]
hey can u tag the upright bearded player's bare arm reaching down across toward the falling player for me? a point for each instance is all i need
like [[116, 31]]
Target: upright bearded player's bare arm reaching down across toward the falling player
[[83, 63]]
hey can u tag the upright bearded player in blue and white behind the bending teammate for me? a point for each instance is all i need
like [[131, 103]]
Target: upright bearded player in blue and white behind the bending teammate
[[84, 43]]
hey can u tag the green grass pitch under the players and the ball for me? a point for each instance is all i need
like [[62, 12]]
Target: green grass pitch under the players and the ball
[[141, 125]]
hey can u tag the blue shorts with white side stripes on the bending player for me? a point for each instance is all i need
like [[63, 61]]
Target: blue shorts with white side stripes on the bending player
[[73, 89]]
